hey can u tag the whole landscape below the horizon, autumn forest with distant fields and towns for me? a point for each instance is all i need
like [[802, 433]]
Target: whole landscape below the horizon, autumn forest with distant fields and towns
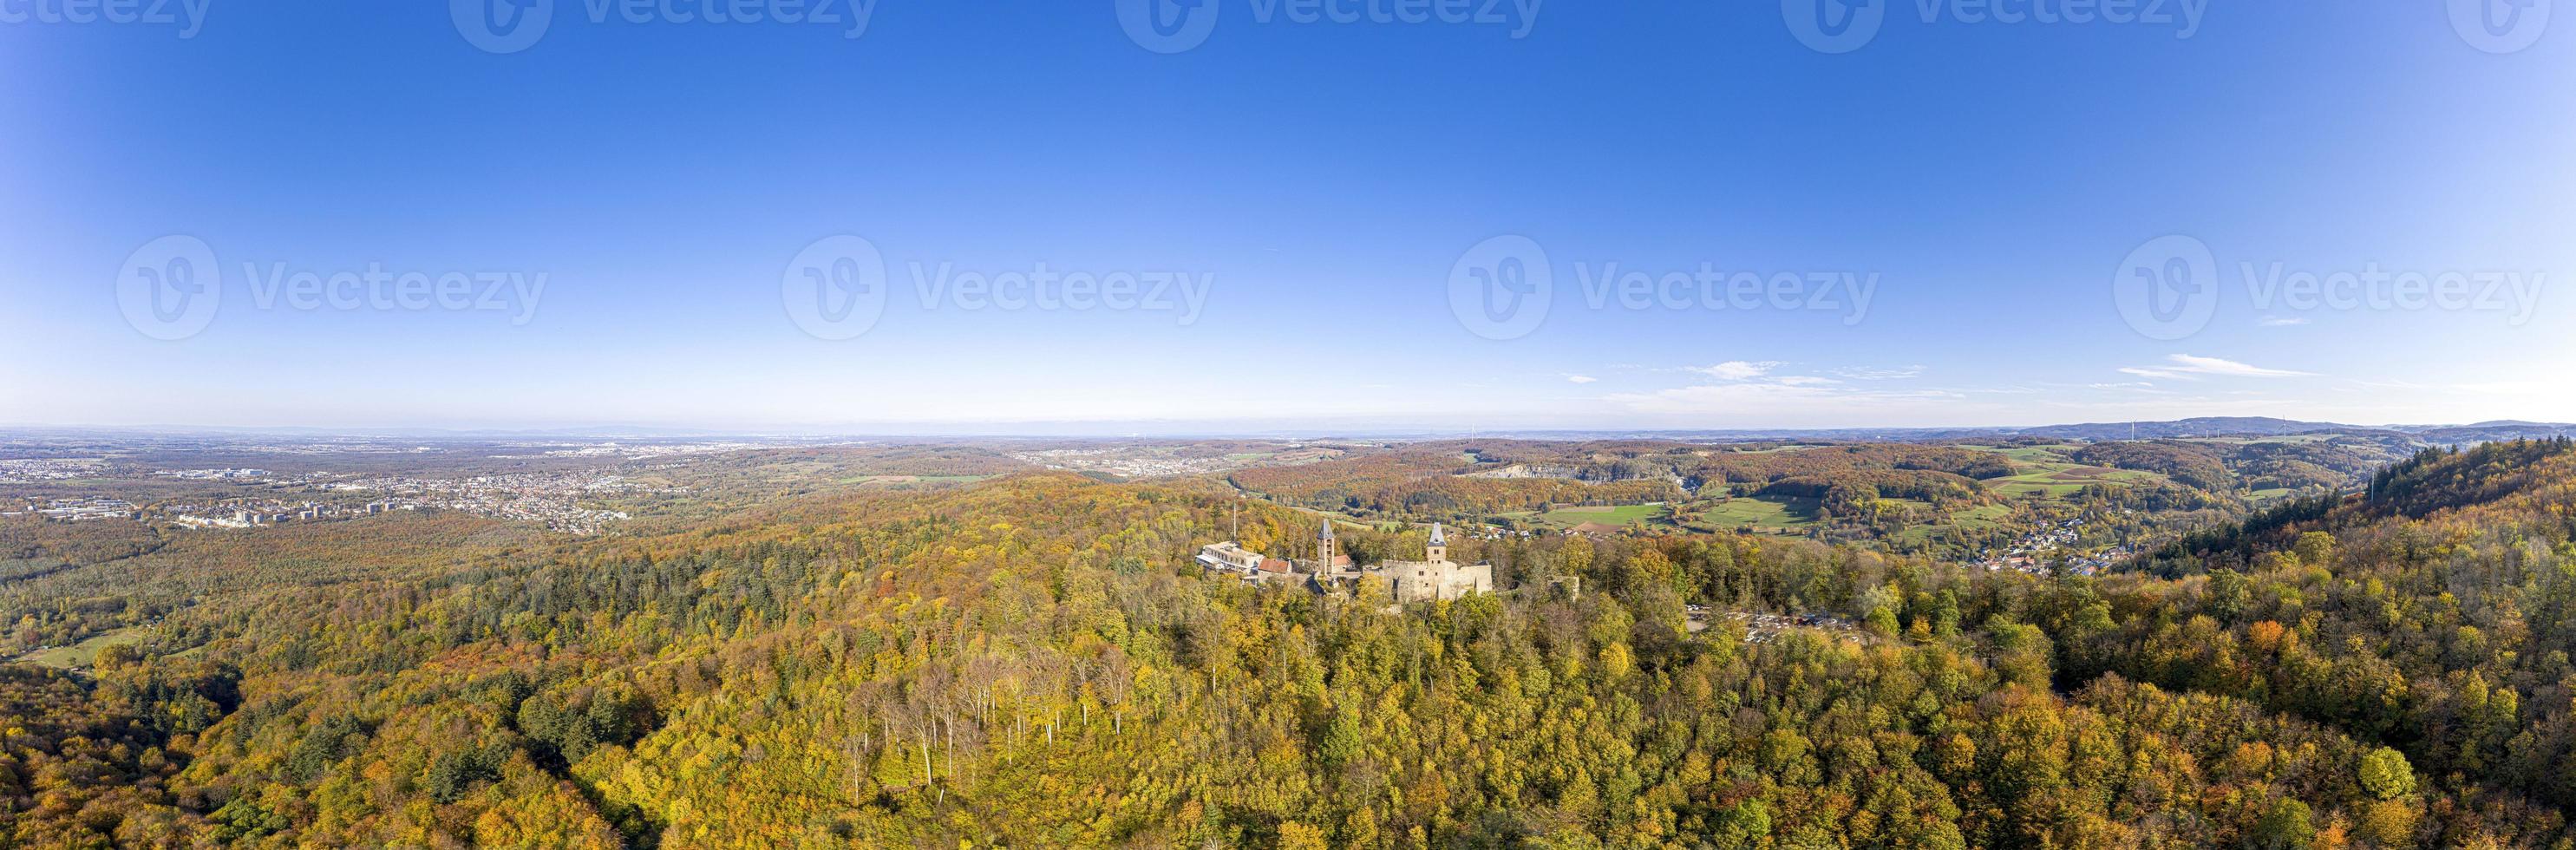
[[779, 630]]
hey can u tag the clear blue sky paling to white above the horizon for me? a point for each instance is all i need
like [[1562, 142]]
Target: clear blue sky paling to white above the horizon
[[2049, 220]]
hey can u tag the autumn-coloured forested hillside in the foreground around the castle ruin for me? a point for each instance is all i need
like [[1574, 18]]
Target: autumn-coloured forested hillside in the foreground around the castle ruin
[[1034, 663]]
